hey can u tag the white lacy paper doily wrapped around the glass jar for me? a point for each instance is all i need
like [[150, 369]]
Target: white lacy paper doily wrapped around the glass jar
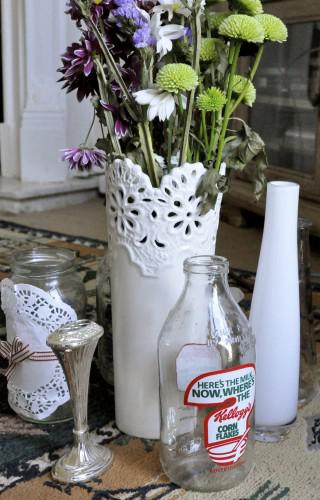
[[36, 388]]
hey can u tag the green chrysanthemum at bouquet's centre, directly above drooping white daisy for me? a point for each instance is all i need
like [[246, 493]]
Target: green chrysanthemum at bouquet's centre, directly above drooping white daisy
[[177, 78]]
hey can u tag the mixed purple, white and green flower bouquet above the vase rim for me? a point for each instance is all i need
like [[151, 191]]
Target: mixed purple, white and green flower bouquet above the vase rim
[[163, 79]]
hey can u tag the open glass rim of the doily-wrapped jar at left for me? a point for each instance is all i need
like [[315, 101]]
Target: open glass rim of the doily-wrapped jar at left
[[39, 262]]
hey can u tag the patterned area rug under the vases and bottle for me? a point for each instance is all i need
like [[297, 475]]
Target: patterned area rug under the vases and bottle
[[27, 452]]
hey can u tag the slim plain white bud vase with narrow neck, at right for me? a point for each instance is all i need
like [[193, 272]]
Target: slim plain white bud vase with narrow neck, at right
[[275, 316]]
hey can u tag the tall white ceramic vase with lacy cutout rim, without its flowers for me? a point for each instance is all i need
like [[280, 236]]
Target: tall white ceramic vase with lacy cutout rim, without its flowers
[[150, 232]]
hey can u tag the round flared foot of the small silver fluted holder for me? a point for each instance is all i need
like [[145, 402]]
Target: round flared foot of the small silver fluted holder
[[82, 462]]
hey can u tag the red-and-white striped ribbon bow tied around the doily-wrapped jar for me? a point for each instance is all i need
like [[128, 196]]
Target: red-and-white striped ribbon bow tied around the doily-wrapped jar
[[17, 351]]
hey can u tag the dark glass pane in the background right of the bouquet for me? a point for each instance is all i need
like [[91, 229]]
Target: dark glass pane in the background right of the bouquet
[[288, 88]]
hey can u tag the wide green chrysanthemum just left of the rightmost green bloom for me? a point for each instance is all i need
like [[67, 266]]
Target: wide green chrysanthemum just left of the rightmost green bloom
[[242, 27]]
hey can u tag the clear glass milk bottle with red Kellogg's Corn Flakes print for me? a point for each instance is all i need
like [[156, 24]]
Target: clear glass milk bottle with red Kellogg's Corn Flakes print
[[207, 380]]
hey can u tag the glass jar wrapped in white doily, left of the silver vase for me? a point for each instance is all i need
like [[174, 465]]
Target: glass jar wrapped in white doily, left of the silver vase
[[49, 270]]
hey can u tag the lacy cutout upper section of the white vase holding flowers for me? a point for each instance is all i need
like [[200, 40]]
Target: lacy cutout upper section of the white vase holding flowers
[[153, 224]]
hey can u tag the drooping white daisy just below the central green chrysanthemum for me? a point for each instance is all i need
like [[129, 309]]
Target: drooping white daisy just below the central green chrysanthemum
[[161, 103]]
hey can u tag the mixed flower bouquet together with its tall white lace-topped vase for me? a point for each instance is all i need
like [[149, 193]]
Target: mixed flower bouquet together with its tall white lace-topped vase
[[163, 77]]
